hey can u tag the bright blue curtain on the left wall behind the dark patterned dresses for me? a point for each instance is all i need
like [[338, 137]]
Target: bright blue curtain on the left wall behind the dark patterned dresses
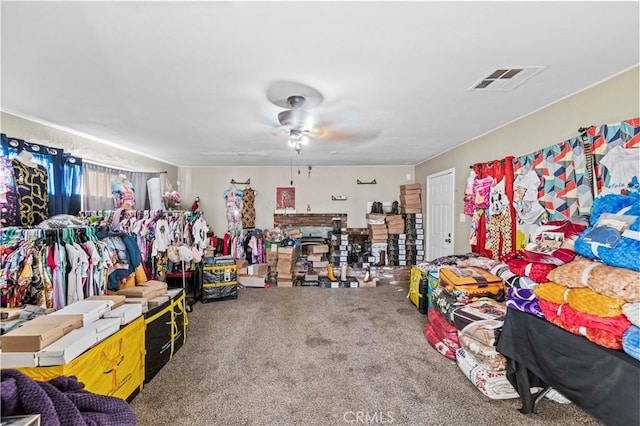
[[64, 173]]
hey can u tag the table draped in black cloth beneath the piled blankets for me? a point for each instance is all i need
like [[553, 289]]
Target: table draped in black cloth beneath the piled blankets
[[603, 382]]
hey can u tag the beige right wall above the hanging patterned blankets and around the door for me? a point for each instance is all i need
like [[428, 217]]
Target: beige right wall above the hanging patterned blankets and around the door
[[612, 101]]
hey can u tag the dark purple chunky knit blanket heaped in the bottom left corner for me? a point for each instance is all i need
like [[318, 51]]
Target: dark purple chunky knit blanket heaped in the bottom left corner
[[61, 401]]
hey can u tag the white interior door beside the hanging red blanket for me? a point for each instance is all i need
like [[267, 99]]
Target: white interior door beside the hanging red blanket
[[439, 220]]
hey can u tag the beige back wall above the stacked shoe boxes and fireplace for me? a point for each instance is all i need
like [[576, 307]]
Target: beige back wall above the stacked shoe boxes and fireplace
[[316, 189]]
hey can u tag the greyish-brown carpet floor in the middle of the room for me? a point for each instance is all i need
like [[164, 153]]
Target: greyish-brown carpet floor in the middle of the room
[[316, 356]]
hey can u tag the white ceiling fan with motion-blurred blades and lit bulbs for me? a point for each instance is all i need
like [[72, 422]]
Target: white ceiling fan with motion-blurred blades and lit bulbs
[[303, 119]]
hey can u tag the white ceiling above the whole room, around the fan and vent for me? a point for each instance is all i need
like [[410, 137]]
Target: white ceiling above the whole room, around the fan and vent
[[186, 82]]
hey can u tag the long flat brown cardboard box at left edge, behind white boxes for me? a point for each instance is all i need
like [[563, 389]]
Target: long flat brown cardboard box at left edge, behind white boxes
[[39, 332]]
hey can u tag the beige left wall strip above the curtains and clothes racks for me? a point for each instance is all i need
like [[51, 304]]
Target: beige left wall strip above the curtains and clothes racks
[[85, 148]]
